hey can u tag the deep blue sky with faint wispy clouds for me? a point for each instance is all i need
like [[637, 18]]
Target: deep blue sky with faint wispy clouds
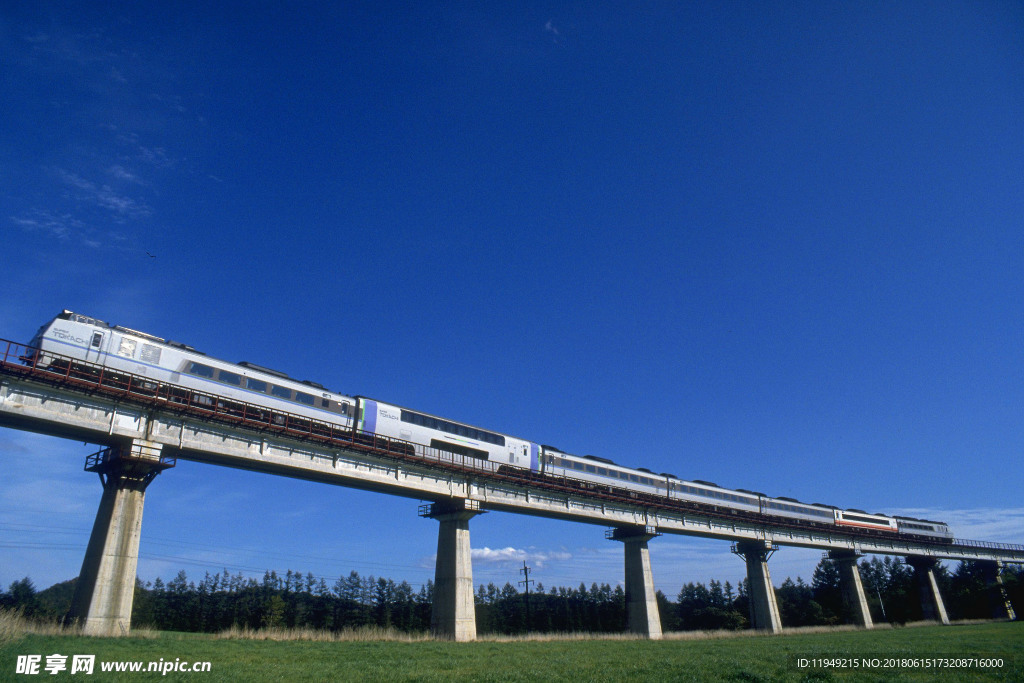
[[777, 247]]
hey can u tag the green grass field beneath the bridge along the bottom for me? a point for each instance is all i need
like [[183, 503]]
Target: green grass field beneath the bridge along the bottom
[[709, 659]]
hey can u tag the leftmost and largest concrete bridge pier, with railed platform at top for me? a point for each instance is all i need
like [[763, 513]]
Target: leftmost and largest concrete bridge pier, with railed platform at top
[[103, 600]]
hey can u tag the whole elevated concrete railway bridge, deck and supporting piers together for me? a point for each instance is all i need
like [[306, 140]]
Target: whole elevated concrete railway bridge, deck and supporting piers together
[[146, 426]]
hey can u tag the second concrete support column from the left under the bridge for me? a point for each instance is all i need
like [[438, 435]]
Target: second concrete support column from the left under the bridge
[[453, 615]]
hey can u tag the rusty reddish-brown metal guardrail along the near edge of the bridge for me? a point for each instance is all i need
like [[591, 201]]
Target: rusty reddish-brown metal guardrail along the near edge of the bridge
[[30, 363]]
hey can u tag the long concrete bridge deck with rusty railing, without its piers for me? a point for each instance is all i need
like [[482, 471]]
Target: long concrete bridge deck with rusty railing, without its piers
[[95, 404]]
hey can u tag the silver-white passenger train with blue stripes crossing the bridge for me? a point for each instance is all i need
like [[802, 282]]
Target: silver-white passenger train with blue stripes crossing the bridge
[[75, 343]]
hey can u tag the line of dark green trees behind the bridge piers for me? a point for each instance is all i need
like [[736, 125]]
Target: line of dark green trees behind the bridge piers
[[295, 601]]
